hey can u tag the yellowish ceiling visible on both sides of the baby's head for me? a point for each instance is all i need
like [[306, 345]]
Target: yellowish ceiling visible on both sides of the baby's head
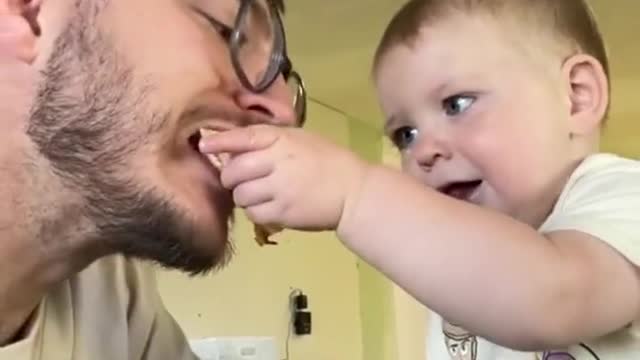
[[332, 42]]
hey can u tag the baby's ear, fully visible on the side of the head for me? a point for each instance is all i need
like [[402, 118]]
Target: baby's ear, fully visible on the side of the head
[[588, 92]]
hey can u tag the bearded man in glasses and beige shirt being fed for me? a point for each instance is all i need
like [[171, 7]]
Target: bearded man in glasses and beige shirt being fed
[[102, 102]]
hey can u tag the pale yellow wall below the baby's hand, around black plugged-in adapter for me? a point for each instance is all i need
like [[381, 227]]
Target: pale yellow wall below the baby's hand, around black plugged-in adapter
[[250, 297]]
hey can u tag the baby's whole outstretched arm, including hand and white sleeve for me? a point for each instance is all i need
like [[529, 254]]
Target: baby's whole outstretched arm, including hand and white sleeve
[[484, 271]]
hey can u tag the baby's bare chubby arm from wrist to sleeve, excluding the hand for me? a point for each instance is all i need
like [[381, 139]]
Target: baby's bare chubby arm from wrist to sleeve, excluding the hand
[[497, 277]]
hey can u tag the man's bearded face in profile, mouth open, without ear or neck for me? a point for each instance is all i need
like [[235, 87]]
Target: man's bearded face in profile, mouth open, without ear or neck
[[127, 84]]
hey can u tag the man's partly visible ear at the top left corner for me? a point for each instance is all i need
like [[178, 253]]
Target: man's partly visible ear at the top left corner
[[19, 29]]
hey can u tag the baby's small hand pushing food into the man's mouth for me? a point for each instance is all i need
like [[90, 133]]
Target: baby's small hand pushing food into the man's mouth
[[287, 176]]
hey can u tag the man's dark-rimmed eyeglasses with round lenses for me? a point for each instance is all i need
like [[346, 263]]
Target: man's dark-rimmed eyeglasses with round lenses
[[260, 57]]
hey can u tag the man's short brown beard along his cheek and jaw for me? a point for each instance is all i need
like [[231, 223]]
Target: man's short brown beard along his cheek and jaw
[[89, 121]]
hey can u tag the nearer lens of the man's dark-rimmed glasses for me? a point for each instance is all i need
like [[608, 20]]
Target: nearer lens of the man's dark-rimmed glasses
[[255, 42]]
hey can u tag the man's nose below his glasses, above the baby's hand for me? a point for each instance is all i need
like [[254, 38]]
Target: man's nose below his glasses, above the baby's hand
[[276, 103]]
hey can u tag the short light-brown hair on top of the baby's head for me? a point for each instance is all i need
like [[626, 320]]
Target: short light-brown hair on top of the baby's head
[[568, 21]]
